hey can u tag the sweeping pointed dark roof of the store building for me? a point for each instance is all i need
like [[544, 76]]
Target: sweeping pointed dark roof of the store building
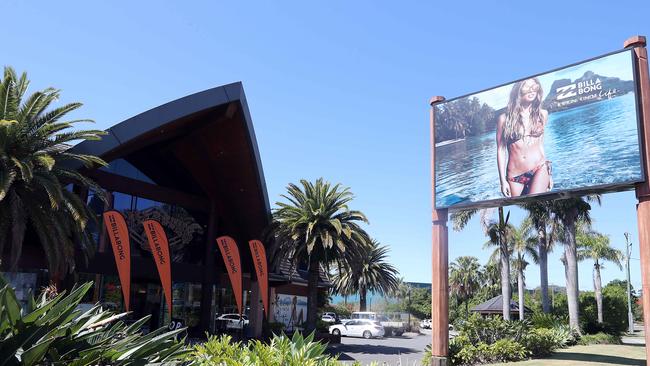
[[203, 145]]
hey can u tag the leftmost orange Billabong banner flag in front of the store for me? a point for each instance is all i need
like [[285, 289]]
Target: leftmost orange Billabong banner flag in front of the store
[[118, 233]]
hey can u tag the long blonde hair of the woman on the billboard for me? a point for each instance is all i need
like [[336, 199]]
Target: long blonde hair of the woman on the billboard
[[513, 127]]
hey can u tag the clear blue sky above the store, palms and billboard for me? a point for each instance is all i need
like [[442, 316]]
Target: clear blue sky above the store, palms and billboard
[[336, 89]]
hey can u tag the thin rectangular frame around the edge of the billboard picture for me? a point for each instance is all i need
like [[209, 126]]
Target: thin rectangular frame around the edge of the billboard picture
[[574, 192]]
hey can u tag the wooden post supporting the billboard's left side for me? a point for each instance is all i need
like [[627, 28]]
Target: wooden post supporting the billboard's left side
[[439, 267]]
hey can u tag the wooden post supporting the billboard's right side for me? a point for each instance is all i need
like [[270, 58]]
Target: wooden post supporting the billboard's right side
[[638, 43]]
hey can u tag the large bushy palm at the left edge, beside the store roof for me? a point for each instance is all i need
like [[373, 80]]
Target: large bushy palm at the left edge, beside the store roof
[[34, 151]]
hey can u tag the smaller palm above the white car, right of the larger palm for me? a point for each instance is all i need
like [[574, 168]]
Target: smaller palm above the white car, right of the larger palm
[[368, 272]]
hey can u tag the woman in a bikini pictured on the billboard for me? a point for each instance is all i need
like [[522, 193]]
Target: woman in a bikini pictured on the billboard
[[520, 140]]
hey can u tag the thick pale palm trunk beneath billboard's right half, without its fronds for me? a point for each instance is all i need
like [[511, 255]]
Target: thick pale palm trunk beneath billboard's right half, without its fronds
[[571, 255]]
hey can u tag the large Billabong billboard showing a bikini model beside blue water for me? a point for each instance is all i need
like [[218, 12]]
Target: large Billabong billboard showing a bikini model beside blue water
[[572, 130]]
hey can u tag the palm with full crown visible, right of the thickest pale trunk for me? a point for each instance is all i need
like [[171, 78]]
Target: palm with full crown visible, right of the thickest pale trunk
[[595, 246]]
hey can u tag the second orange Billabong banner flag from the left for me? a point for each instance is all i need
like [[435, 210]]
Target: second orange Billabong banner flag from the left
[[160, 251]]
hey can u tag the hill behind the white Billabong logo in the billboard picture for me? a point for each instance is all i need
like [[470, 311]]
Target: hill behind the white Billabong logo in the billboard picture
[[589, 88]]
